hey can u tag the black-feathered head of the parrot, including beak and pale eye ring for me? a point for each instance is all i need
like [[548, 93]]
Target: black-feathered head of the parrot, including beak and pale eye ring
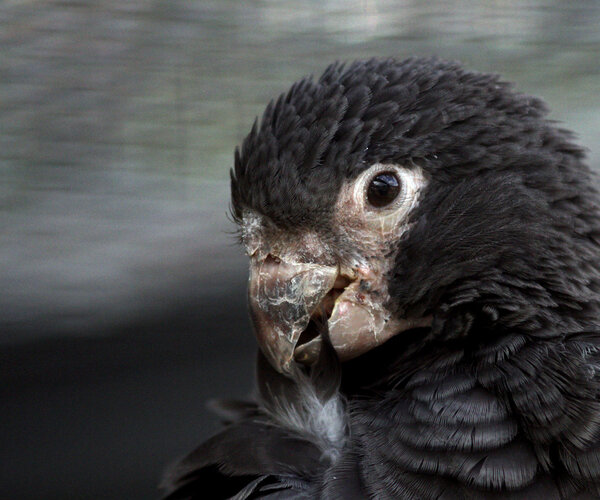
[[391, 196]]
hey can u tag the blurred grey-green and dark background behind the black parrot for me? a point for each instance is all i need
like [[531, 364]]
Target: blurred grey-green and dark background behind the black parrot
[[122, 303]]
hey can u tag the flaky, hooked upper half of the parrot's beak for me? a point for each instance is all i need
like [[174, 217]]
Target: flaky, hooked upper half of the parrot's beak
[[282, 297]]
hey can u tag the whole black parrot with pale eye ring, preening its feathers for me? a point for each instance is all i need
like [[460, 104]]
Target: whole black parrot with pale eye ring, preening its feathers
[[424, 253]]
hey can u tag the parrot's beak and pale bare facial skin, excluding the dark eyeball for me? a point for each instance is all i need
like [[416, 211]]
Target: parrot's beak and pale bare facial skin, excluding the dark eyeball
[[296, 279]]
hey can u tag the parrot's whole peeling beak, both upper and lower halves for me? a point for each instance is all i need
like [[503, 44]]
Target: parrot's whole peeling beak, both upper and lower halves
[[288, 299]]
